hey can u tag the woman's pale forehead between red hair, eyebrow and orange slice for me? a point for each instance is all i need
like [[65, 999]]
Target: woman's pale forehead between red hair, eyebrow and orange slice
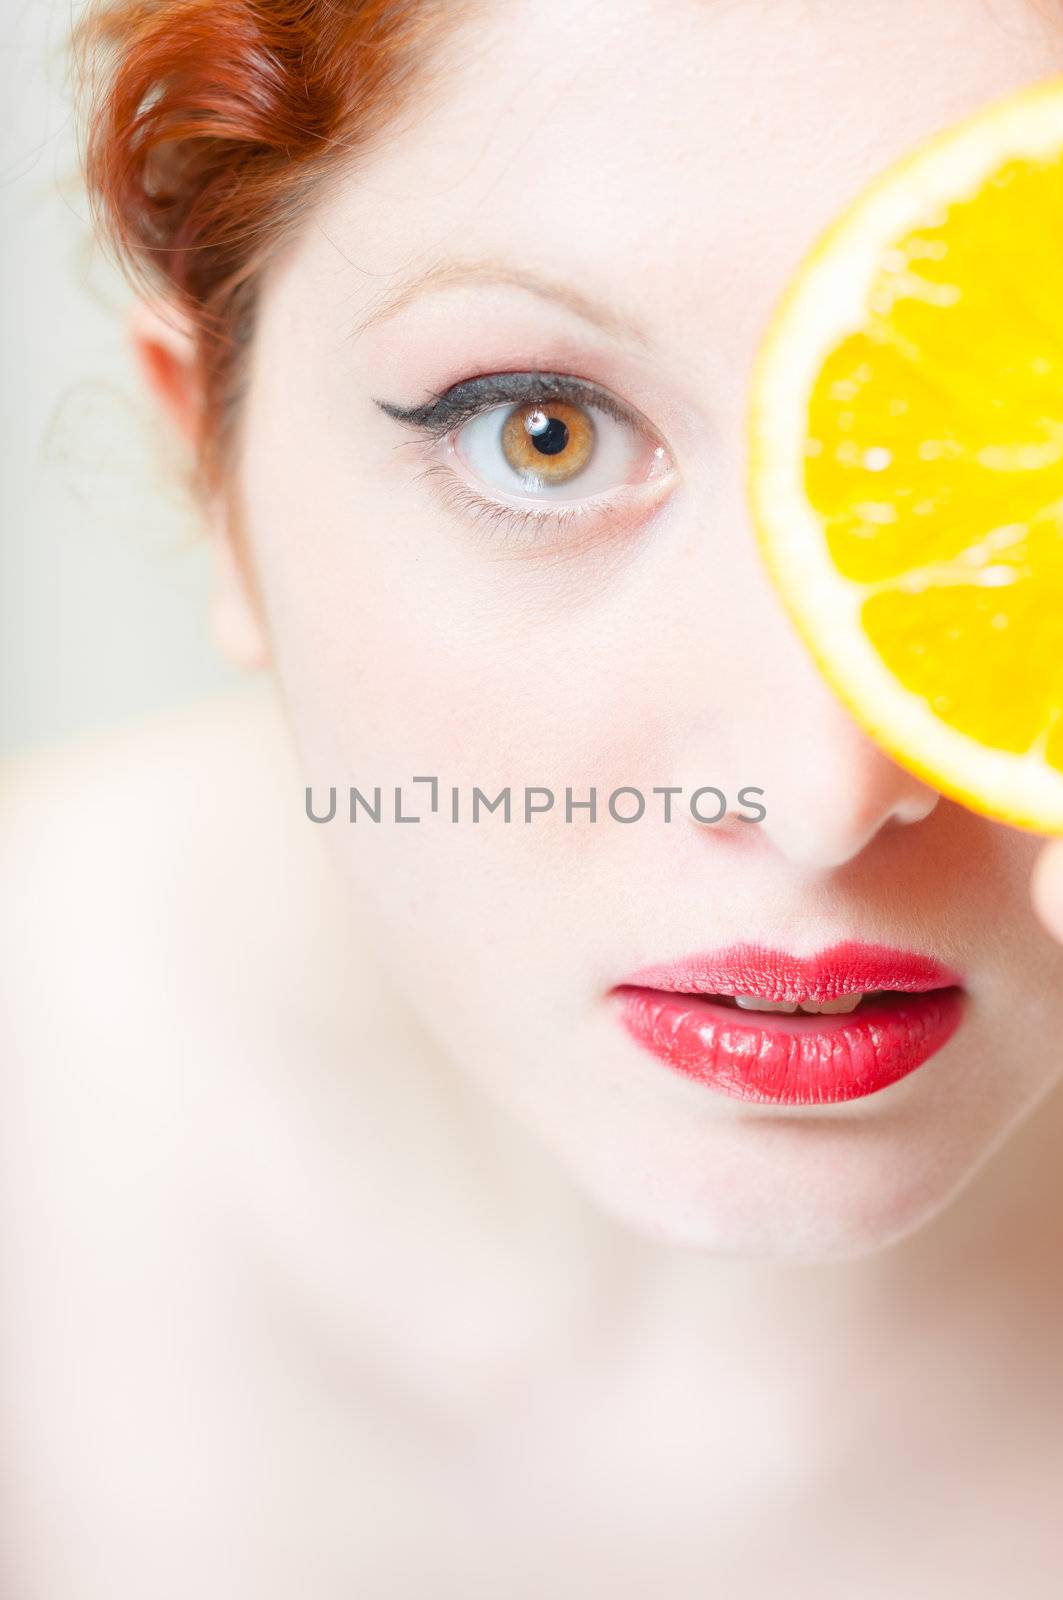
[[660, 153]]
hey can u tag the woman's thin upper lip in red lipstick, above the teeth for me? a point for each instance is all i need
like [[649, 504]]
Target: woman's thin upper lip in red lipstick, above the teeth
[[774, 975]]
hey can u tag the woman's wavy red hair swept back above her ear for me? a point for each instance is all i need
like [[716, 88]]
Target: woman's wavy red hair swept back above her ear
[[212, 126]]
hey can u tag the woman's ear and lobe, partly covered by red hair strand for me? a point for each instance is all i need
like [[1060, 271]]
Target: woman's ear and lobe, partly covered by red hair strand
[[166, 350]]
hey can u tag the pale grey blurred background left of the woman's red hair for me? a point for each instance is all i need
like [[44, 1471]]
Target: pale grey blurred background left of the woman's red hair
[[103, 572]]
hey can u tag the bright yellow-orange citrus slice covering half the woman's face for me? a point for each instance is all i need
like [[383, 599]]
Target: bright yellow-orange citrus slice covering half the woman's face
[[907, 458]]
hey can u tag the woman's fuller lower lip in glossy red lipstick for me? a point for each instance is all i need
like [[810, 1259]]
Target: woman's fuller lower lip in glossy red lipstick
[[796, 1060]]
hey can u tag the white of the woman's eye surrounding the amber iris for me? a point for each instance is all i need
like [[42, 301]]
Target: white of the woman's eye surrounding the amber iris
[[616, 457]]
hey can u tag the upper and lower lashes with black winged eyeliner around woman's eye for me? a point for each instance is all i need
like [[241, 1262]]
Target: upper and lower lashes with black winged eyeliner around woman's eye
[[452, 409]]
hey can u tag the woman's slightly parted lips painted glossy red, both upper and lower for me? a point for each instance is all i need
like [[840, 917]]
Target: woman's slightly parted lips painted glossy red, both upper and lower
[[800, 1060]]
